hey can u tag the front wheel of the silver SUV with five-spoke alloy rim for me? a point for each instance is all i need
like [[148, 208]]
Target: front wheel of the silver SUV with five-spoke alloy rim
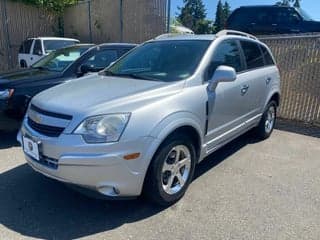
[[171, 170]]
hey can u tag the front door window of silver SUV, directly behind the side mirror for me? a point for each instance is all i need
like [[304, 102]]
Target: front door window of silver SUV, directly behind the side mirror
[[227, 53]]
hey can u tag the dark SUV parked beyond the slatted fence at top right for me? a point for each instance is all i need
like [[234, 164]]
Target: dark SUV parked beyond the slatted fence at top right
[[263, 20]]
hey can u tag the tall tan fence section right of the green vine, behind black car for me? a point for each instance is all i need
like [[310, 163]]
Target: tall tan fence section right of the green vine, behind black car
[[102, 21]]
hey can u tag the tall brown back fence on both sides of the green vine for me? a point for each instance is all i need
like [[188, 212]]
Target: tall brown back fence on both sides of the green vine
[[96, 21]]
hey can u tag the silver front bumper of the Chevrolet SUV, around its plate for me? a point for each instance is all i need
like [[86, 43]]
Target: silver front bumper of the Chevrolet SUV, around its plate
[[98, 167]]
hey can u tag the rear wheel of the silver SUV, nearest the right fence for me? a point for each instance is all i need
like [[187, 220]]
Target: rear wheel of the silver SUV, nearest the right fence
[[267, 122]]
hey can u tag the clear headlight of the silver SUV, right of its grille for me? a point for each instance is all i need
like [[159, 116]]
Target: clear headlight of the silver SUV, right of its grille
[[104, 128]]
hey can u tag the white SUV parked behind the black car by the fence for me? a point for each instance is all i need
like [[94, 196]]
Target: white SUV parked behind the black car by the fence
[[33, 49]]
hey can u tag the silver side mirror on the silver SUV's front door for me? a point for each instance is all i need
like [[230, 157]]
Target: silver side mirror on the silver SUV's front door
[[222, 74]]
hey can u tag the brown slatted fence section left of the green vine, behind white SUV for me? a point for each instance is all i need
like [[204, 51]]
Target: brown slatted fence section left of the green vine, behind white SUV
[[18, 22]]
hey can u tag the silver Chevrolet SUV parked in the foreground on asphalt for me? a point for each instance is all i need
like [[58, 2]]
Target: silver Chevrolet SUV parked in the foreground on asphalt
[[143, 124]]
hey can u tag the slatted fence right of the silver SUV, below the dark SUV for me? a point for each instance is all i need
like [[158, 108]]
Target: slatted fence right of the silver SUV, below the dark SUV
[[298, 58]]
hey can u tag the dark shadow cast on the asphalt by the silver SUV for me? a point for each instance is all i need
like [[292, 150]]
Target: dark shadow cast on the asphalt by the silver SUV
[[36, 206]]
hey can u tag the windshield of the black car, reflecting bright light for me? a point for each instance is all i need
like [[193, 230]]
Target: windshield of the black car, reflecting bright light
[[59, 60]]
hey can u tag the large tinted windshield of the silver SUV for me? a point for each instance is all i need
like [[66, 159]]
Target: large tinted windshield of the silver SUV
[[167, 61]]
